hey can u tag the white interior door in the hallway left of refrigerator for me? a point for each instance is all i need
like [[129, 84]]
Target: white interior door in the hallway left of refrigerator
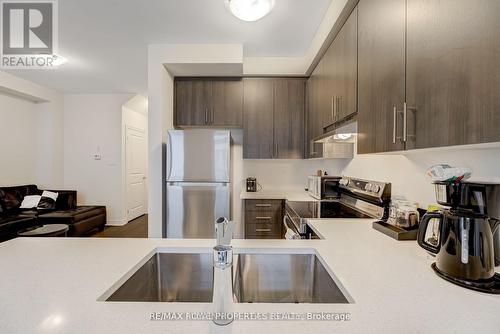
[[136, 165]]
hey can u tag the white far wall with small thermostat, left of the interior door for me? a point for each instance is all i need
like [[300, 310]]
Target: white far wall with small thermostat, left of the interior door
[[93, 124]]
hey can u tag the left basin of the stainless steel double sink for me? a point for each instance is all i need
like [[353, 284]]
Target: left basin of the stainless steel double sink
[[169, 277]]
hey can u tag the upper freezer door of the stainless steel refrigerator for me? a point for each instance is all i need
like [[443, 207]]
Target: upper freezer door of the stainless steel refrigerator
[[198, 155]]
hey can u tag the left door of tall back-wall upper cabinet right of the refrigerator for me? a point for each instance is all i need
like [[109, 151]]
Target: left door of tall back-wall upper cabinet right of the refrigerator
[[258, 118]]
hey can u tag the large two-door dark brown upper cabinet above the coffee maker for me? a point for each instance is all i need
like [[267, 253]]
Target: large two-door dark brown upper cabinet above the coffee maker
[[429, 74]]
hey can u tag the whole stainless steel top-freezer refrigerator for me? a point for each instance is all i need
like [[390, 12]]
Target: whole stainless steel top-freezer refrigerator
[[198, 181]]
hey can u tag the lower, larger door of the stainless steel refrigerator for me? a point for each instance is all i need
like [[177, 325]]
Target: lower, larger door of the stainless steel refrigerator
[[193, 207]]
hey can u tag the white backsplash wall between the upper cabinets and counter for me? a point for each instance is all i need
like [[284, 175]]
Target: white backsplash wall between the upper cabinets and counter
[[406, 173]]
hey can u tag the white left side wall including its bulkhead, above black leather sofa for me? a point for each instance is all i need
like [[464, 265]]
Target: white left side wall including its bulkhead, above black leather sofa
[[31, 133]]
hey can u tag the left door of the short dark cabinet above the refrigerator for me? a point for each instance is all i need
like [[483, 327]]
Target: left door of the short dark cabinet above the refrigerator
[[192, 102]]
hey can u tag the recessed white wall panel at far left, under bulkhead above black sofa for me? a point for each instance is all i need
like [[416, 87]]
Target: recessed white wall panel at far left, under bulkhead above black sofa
[[19, 141]]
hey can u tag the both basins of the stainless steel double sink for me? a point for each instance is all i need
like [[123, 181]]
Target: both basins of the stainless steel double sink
[[257, 278]]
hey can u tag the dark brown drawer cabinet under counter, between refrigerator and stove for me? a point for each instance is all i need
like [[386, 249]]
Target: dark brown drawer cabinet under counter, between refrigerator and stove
[[263, 219]]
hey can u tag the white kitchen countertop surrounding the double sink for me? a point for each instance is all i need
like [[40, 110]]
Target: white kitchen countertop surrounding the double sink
[[51, 285]]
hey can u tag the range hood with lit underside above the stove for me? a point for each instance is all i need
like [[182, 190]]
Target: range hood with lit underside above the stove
[[339, 143]]
